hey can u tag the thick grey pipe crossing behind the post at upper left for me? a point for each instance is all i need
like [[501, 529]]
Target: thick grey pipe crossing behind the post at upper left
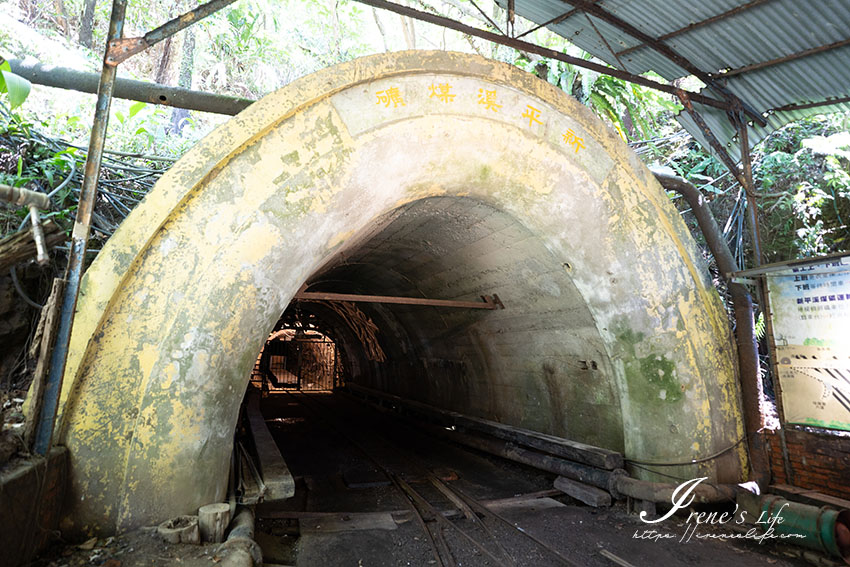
[[129, 89]]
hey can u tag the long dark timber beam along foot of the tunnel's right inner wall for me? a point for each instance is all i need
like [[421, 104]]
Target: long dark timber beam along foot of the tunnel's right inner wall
[[564, 448]]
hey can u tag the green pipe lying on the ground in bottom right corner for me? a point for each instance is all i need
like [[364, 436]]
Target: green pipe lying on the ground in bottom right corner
[[824, 529]]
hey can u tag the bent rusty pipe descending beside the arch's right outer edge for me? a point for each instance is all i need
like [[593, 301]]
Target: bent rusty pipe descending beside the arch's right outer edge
[[745, 329]]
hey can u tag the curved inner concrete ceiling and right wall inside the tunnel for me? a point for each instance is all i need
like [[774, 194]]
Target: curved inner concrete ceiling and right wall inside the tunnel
[[462, 248]]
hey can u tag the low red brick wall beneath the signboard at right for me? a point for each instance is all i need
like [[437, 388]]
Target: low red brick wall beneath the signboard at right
[[817, 461]]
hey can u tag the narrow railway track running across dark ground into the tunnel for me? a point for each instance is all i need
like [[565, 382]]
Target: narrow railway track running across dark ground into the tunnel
[[479, 536]]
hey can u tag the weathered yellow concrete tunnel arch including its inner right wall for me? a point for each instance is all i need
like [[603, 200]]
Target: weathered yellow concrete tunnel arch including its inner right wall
[[366, 175]]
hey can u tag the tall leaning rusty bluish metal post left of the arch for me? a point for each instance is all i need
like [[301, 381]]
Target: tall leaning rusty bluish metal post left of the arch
[[79, 239]]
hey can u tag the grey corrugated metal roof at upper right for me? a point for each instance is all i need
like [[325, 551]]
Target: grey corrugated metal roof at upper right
[[739, 35]]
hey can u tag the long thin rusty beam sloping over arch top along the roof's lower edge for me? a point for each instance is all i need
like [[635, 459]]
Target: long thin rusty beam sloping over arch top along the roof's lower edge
[[542, 51]]
